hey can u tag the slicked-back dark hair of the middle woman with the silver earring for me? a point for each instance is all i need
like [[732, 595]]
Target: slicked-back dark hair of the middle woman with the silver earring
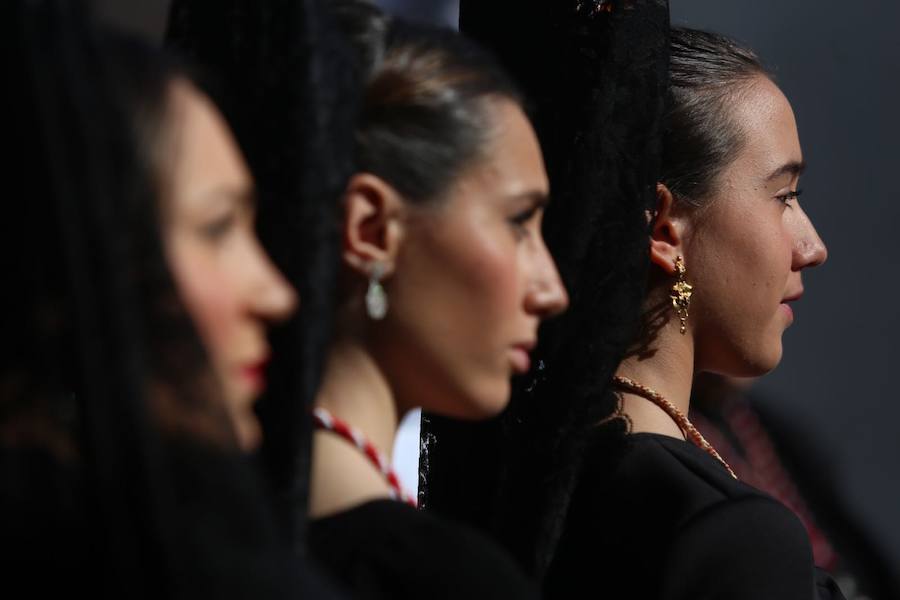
[[425, 114]]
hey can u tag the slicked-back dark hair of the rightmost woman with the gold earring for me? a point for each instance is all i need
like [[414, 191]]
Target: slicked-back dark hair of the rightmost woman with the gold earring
[[707, 72]]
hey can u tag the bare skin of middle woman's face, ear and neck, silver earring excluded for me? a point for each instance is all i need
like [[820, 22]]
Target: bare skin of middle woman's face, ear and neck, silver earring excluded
[[469, 280]]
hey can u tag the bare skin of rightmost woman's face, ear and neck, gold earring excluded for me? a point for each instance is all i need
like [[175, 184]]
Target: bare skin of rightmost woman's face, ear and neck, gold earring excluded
[[744, 252]]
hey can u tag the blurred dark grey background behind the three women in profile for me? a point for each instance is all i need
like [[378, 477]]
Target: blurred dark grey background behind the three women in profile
[[836, 391]]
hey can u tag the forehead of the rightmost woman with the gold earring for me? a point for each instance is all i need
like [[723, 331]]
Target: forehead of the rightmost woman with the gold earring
[[764, 115]]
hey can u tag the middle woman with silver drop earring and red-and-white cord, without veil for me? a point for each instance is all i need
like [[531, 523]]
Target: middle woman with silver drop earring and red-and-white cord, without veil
[[445, 281]]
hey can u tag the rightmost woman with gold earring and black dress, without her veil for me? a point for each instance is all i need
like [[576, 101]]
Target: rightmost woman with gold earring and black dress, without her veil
[[728, 241]]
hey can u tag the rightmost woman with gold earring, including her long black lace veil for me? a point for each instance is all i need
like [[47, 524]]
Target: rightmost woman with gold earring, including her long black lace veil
[[661, 517]]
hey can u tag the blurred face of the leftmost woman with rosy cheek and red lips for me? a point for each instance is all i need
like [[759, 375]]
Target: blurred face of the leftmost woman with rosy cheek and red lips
[[228, 284]]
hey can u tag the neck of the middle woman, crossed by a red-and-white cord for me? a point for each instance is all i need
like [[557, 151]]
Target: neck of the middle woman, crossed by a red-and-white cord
[[354, 390]]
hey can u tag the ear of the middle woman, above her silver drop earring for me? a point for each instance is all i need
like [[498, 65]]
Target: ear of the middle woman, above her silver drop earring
[[372, 229]]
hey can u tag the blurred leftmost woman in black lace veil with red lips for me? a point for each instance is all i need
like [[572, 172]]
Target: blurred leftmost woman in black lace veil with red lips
[[136, 331]]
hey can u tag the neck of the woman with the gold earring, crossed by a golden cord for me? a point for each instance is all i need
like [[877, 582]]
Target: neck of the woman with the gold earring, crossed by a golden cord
[[669, 370]]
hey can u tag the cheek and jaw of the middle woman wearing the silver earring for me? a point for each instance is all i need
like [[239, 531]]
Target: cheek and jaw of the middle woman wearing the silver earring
[[454, 306]]
